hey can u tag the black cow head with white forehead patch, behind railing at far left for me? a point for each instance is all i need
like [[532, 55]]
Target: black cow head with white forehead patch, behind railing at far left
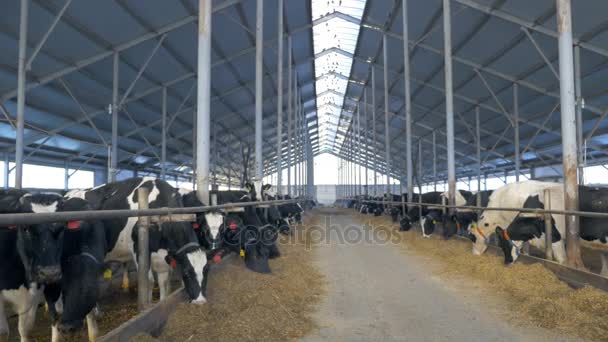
[[40, 245]]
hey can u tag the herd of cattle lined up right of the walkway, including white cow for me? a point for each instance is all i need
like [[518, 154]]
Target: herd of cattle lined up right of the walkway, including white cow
[[510, 229]]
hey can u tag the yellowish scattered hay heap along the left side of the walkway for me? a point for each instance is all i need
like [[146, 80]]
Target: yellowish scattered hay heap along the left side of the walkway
[[243, 305]]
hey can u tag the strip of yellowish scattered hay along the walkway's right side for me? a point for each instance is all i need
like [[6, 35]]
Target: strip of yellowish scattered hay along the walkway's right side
[[534, 295]]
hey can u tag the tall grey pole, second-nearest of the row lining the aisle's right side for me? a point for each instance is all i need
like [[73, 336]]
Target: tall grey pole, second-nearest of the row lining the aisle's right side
[[449, 101]]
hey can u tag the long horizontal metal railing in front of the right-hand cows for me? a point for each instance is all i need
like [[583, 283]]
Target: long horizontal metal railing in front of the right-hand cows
[[526, 210]]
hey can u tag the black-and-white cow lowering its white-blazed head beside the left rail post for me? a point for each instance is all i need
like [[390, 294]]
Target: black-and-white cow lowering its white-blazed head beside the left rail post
[[172, 244]]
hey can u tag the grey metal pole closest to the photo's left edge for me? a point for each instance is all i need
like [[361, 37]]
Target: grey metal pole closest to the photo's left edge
[[21, 80]]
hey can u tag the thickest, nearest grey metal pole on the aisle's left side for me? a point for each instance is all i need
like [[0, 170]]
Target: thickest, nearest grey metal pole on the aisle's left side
[[203, 122]]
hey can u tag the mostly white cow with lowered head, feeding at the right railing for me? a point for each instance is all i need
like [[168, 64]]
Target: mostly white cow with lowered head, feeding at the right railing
[[514, 195]]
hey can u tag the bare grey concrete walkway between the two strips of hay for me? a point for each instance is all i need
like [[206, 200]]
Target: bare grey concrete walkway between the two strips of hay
[[376, 293]]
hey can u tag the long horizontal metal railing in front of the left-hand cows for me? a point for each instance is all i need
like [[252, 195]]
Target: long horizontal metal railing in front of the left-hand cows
[[37, 218]]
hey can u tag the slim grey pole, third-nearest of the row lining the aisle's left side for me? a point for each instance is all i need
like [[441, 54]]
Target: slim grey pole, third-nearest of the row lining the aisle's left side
[[280, 99]]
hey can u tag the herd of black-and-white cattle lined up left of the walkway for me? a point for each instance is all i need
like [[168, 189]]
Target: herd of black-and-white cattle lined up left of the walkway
[[61, 263]]
